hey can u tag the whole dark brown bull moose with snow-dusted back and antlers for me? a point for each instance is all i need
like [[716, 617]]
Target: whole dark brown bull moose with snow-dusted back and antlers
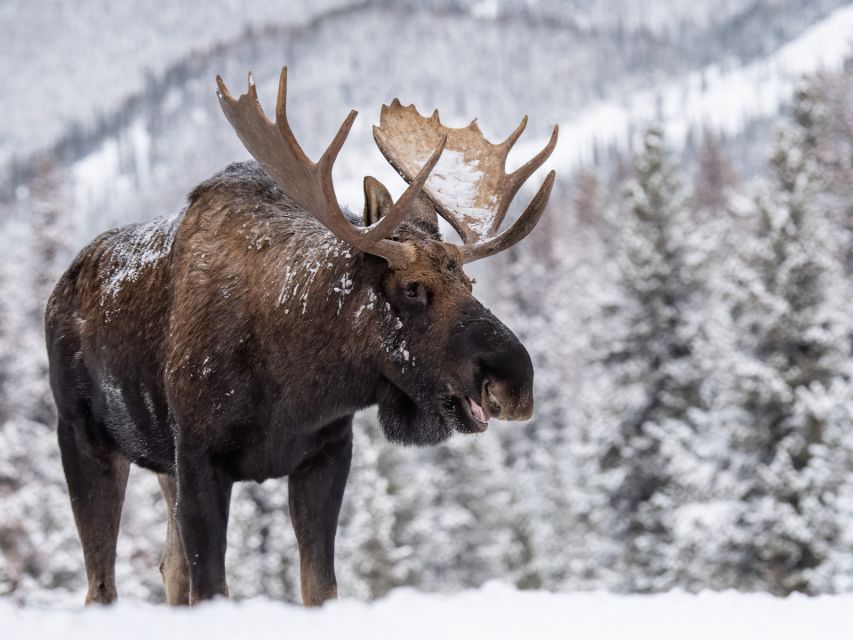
[[236, 340]]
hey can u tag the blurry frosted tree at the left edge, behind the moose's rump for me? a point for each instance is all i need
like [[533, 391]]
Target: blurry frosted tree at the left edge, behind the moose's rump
[[37, 535]]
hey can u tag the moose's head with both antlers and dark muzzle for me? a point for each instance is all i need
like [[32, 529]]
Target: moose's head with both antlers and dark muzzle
[[460, 365]]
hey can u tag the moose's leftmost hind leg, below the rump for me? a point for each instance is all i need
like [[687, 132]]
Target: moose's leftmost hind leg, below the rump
[[96, 478]]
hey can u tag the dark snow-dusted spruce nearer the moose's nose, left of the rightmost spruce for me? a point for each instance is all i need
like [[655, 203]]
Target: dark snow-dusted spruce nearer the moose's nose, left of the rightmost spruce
[[649, 359]]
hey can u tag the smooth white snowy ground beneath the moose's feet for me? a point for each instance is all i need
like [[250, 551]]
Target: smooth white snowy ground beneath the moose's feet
[[494, 612]]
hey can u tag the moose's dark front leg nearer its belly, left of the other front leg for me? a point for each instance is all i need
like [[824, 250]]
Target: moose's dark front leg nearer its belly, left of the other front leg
[[204, 494]]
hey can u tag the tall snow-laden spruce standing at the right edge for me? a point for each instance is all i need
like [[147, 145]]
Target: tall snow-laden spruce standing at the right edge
[[788, 400]]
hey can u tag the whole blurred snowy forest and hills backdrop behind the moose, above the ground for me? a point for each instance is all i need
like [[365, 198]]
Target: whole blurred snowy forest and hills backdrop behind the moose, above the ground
[[686, 298]]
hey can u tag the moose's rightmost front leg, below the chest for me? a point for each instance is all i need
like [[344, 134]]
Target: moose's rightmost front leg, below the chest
[[315, 494]]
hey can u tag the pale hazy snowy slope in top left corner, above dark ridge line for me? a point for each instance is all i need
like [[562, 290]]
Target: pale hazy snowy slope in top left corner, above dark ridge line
[[66, 63]]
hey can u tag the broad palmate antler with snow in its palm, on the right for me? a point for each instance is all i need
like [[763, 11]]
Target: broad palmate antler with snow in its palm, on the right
[[470, 188]]
